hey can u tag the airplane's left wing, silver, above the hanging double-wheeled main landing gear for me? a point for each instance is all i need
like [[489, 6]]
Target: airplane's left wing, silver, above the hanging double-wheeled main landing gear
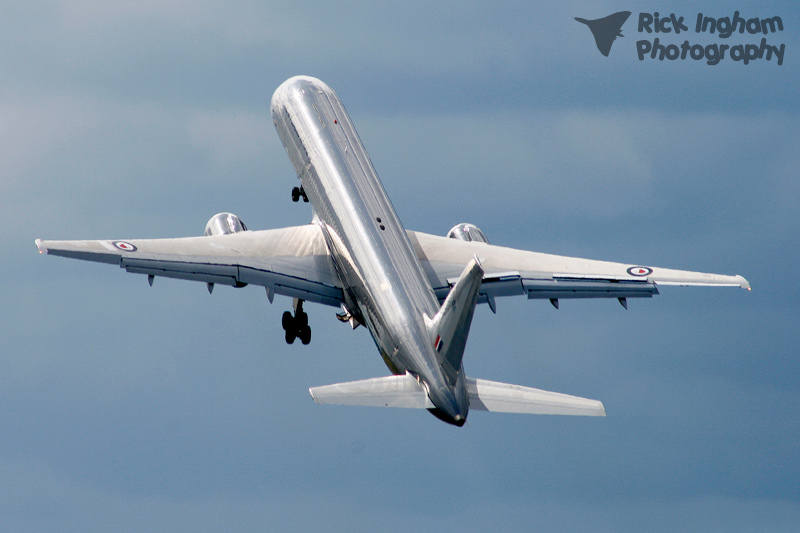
[[290, 261]]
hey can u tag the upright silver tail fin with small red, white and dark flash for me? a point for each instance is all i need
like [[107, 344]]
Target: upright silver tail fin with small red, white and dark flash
[[449, 329]]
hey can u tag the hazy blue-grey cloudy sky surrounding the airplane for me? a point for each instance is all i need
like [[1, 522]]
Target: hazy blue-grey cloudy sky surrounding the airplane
[[130, 408]]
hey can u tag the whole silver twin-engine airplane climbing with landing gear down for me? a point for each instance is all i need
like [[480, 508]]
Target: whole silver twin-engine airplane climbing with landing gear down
[[416, 293]]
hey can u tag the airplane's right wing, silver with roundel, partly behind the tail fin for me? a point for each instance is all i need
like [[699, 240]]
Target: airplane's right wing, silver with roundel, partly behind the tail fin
[[509, 272]]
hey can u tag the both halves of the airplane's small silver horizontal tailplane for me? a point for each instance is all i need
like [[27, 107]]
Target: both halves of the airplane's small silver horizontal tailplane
[[406, 391]]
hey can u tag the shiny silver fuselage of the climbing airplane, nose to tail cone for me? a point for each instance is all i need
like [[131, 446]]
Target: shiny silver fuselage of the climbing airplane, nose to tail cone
[[385, 287]]
